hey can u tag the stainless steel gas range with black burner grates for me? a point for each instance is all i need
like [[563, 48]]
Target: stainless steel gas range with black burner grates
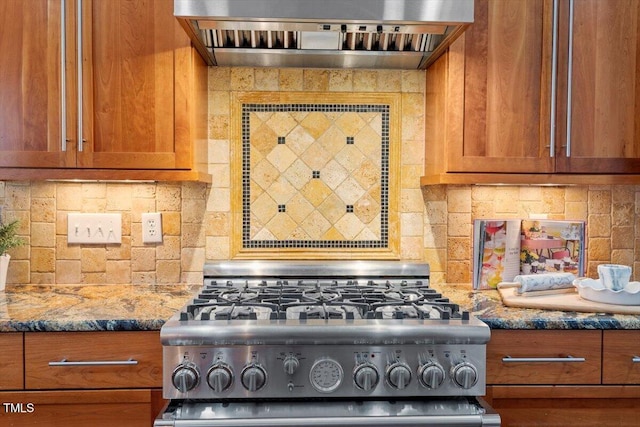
[[336, 343]]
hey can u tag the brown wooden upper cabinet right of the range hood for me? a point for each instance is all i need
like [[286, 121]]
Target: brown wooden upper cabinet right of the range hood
[[540, 91]]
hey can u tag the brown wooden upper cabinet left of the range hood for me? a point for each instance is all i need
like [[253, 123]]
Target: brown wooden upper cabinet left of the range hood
[[98, 84]]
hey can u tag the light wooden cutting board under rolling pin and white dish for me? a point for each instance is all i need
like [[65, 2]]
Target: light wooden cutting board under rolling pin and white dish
[[567, 301]]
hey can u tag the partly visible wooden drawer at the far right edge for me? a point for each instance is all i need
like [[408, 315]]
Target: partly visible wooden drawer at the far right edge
[[621, 350]]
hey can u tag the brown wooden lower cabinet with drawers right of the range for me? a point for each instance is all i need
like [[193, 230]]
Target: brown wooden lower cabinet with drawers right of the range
[[564, 378]]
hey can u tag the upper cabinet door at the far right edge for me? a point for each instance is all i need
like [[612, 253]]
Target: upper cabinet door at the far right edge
[[605, 94]]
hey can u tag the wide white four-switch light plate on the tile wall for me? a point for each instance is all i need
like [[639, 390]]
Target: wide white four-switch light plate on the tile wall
[[94, 228]]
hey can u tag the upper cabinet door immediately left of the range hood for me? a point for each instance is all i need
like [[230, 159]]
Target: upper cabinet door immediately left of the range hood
[[128, 86]]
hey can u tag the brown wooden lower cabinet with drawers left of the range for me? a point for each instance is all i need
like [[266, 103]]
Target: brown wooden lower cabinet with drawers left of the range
[[80, 379]]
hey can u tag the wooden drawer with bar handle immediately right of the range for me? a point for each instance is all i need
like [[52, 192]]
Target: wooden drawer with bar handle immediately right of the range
[[544, 357]]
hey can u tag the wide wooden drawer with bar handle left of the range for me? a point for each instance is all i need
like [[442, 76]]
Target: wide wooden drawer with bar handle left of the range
[[66, 360]]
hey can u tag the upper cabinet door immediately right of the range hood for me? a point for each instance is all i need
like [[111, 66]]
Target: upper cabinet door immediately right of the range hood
[[506, 89]]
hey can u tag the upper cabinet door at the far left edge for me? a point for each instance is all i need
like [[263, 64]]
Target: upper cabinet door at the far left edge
[[30, 93]]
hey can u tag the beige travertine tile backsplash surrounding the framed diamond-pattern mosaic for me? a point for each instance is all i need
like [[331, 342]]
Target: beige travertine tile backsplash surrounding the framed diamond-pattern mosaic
[[435, 222]]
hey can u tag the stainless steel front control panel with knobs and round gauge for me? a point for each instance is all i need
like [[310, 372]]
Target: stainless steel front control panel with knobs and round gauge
[[280, 371]]
